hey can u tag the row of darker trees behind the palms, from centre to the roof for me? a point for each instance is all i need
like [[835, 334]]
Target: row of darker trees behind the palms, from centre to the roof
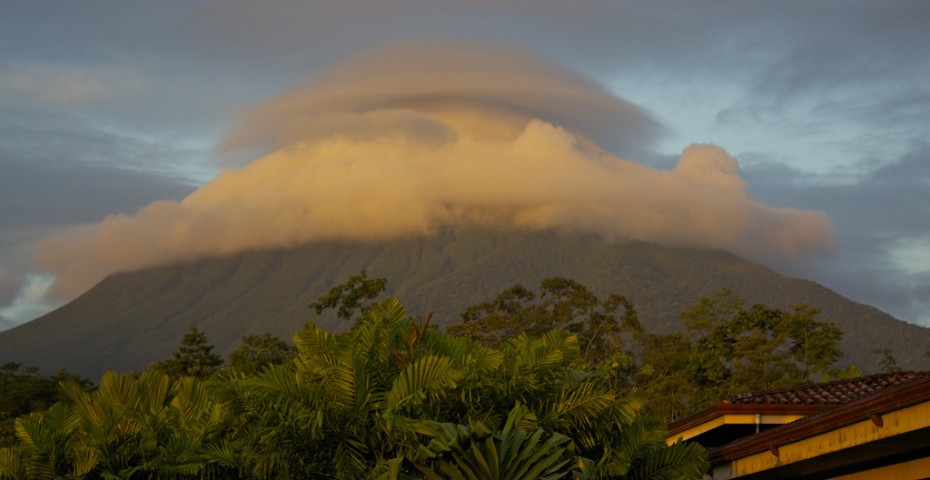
[[727, 348]]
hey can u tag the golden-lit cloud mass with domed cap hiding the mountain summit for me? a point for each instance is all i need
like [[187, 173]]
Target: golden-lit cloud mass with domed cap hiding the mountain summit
[[412, 138]]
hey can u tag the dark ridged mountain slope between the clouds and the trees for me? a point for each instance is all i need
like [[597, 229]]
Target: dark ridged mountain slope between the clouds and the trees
[[131, 319]]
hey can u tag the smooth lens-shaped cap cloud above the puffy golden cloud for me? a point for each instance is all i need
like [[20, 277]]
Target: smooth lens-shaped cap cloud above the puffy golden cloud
[[413, 87]]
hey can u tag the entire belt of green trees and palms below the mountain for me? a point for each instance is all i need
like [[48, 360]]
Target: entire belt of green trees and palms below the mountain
[[550, 384]]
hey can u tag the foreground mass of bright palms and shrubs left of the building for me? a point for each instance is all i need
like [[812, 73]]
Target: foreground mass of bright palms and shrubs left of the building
[[391, 398]]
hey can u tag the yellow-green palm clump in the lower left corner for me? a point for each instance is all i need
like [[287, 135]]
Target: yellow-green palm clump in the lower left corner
[[130, 427]]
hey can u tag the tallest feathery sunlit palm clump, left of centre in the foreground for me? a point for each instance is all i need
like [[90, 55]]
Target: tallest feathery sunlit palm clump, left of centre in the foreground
[[340, 408]]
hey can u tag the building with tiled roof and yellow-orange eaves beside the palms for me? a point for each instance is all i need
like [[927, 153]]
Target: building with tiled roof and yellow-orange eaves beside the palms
[[870, 427]]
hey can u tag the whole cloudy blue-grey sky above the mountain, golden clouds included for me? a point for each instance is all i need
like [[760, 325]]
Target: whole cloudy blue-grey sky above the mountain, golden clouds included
[[794, 134]]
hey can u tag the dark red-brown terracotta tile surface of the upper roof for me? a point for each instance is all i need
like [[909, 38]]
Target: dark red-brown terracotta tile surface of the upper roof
[[837, 392]]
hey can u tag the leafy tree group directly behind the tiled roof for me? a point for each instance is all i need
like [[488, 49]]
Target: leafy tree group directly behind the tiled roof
[[728, 349]]
